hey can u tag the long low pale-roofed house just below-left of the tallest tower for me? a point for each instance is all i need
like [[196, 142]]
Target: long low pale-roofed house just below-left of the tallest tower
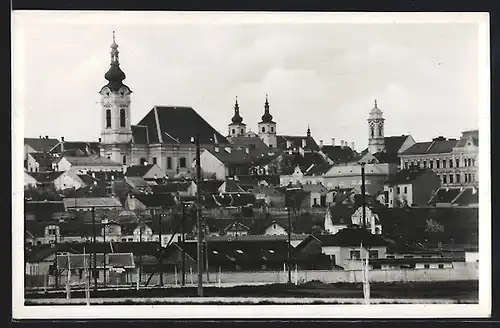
[[83, 164]]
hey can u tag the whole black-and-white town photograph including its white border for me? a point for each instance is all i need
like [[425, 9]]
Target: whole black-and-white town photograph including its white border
[[250, 165]]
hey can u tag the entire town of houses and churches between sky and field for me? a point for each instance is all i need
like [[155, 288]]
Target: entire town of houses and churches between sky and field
[[124, 206]]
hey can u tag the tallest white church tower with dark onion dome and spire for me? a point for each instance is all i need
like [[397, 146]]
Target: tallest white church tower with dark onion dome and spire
[[116, 133]]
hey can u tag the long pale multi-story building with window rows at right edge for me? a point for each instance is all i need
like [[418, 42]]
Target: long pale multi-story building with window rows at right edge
[[454, 161]]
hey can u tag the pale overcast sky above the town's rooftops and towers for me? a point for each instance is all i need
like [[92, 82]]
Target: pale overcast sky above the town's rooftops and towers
[[424, 76]]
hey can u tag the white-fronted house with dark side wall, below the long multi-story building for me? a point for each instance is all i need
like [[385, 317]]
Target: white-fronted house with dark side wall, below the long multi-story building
[[411, 187]]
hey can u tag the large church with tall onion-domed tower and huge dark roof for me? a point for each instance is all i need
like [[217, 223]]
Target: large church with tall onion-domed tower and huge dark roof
[[162, 137]]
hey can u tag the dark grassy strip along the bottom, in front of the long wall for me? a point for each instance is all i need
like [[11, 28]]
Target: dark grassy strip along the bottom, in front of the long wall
[[466, 291]]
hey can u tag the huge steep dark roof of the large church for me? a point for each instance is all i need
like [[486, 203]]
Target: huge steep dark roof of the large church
[[178, 124]]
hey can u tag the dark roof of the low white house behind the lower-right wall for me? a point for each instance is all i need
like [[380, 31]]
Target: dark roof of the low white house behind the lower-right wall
[[351, 236]]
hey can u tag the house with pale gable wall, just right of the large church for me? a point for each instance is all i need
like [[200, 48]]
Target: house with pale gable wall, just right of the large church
[[228, 161]]
